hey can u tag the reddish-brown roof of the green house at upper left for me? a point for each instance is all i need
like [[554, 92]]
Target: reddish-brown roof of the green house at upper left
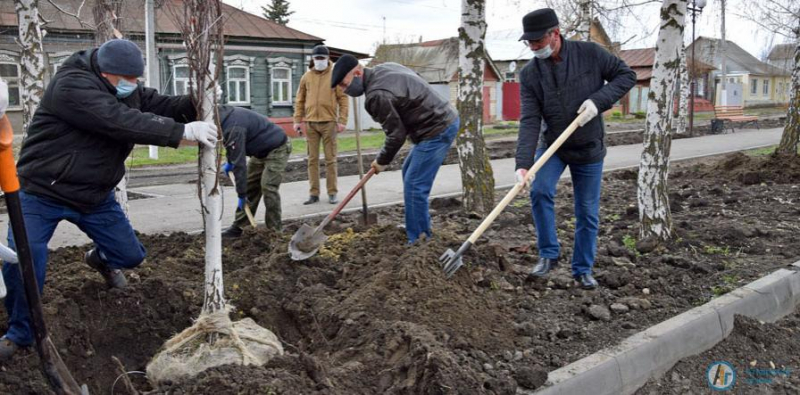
[[238, 23]]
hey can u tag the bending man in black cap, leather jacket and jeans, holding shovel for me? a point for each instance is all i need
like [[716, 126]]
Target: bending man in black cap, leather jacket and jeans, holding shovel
[[406, 107]]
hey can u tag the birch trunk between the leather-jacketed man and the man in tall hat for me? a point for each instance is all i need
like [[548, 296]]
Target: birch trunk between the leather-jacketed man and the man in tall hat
[[477, 177]]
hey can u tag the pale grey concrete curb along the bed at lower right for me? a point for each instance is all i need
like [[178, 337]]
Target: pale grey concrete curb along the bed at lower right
[[624, 368]]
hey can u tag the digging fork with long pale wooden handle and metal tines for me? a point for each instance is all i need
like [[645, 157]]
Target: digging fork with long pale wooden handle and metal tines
[[451, 261]]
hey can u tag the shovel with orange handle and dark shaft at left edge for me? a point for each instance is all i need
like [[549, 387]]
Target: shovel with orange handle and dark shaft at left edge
[[61, 381]]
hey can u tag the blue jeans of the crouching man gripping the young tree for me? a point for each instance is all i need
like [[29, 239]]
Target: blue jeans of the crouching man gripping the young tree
[[106, 225]]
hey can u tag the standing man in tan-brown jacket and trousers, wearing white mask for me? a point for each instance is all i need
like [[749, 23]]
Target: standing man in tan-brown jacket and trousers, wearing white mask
[[324, 110]]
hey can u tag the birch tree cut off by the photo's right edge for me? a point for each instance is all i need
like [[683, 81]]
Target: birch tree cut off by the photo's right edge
[[783, 17]]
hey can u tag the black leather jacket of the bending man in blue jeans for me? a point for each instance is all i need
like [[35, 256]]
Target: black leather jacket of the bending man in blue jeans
[[405, 106]]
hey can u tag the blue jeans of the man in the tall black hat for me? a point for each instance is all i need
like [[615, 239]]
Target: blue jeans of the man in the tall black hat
[[586, 180]]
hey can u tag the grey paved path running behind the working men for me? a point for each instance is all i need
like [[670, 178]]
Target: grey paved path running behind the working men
[[176, 207]]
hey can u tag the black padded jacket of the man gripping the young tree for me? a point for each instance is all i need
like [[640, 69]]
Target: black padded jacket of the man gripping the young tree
[[81, 133]]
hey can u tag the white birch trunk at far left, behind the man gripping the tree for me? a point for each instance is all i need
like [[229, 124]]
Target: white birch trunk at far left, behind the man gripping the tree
[[31, 60]]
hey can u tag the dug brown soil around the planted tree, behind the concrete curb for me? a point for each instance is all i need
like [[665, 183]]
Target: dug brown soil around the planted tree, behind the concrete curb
[[371, 315]]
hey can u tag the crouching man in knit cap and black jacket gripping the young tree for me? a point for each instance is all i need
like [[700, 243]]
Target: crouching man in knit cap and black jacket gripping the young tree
[[91, 115]]
